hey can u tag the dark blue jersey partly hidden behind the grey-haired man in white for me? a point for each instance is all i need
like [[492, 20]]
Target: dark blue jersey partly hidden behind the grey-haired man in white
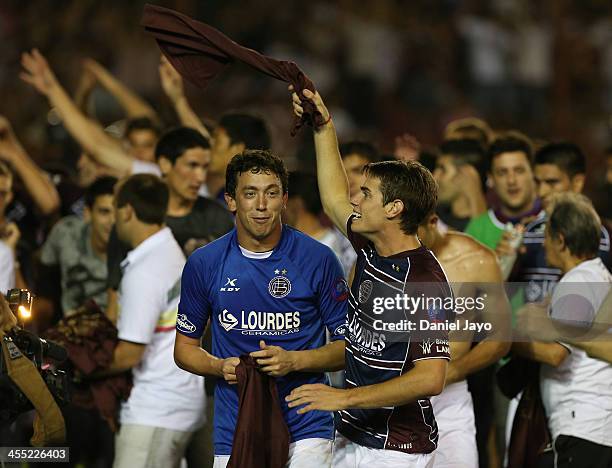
[[541, 278]]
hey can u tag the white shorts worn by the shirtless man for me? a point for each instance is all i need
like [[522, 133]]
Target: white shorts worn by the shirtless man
[[454, 412]]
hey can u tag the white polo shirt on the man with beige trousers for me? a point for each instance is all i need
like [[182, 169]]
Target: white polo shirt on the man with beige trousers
[[163, 395]]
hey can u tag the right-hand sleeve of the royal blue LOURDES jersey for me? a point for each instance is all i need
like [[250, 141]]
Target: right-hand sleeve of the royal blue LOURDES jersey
[[333, 297]]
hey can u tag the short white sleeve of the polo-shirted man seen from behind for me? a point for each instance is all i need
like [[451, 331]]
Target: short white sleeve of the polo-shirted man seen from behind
[[140, 305]]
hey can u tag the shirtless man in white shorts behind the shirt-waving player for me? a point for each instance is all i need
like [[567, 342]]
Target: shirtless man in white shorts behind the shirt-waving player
[[472, 271]]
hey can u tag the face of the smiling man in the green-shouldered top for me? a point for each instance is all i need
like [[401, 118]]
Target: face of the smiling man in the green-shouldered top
[[513, 181]]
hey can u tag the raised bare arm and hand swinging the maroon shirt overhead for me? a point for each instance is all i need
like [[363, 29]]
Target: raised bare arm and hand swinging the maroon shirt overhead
[[333, 184]]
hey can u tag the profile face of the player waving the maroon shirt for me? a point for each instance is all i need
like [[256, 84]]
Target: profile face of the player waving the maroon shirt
[[369, 208]]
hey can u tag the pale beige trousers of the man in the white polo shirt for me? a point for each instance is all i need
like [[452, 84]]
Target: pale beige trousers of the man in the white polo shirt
[[139, 446]]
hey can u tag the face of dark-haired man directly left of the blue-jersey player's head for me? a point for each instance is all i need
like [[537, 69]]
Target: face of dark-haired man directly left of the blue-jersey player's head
[[187, 174]]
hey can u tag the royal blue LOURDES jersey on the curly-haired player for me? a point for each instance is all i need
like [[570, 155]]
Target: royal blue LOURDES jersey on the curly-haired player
[[287, 300]]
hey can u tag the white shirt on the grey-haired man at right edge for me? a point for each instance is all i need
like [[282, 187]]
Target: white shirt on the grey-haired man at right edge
[[577, 395]]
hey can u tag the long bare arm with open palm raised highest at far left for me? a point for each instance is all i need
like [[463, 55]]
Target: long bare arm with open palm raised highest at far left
[[90, 135]]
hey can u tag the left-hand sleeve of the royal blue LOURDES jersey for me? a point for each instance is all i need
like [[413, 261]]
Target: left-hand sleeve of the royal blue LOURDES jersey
[[194, 306]]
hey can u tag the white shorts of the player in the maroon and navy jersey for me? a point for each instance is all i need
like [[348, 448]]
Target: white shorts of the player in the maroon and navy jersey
[[348, 454]]
